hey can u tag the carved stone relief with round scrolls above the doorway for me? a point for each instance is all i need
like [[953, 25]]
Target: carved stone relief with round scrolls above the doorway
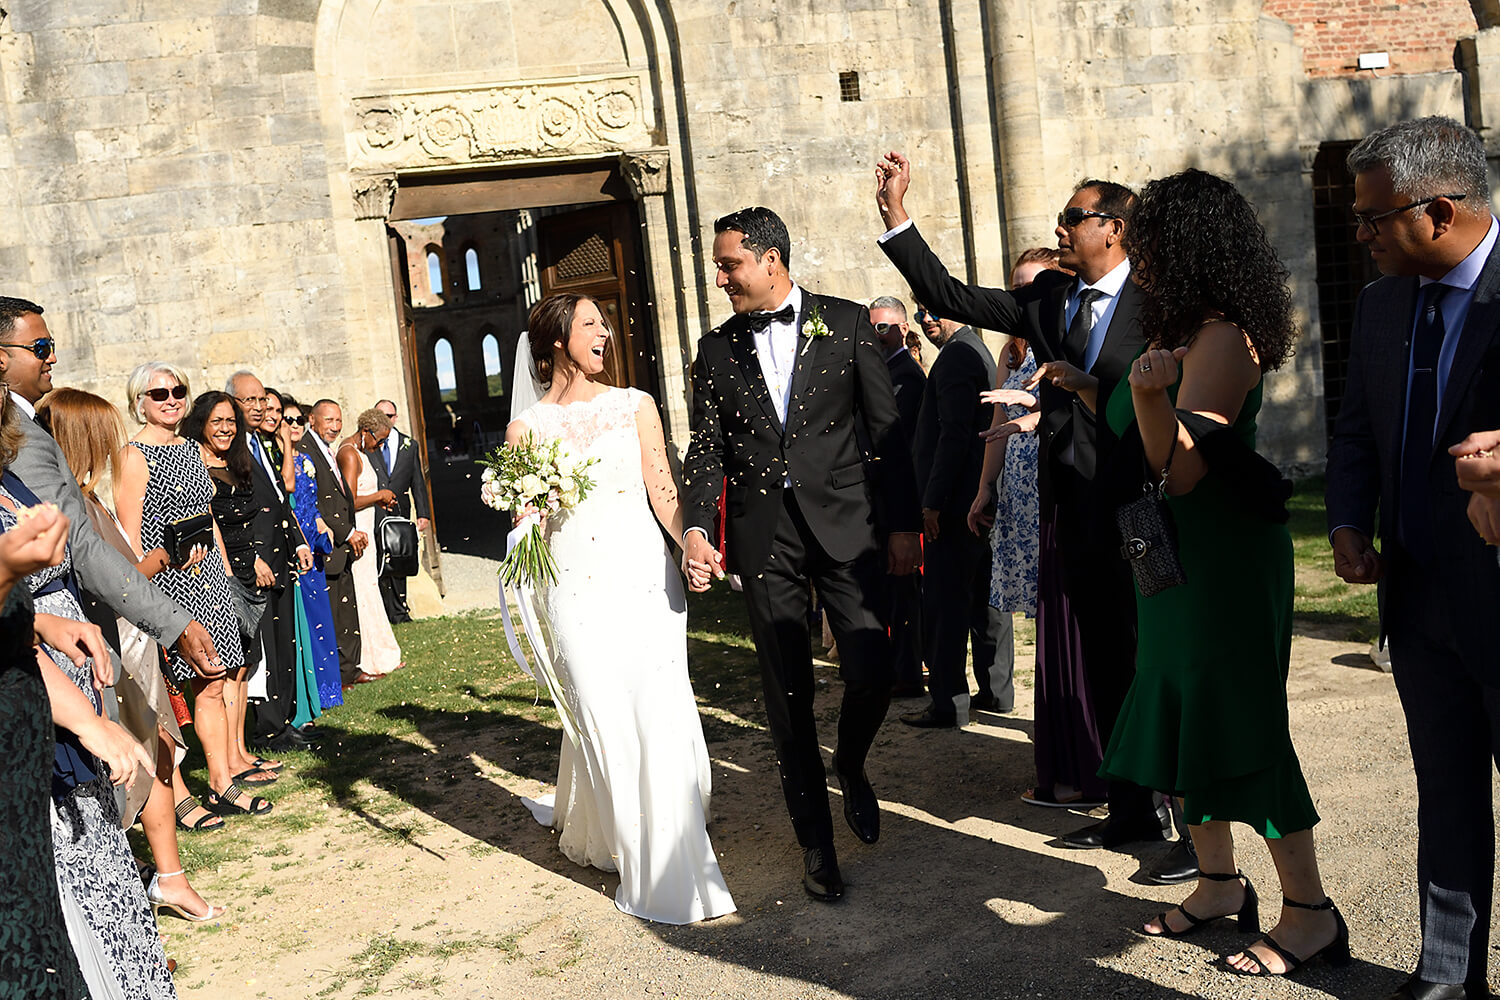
[[473, 127]]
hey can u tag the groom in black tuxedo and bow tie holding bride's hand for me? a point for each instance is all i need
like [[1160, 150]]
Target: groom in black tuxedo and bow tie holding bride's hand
[[779, 394]]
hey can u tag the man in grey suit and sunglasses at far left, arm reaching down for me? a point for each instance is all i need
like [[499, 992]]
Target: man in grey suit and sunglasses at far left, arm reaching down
[[103, 572]]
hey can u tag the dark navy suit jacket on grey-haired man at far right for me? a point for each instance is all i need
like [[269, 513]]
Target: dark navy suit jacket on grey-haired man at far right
[[1364, 457]]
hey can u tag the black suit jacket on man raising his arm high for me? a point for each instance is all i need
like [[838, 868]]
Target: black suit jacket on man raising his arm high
[[1037, 314]]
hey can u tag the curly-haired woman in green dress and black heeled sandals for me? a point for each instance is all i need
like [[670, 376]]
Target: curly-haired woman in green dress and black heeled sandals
[[1207, 716]]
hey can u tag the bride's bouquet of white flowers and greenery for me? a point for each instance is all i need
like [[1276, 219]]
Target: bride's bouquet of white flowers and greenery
[[541, 475]]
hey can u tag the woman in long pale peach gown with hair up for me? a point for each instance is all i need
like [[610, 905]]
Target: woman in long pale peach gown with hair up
[[380, 654]]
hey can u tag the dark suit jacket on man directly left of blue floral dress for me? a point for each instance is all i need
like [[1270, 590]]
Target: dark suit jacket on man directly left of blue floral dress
[[947, 451]]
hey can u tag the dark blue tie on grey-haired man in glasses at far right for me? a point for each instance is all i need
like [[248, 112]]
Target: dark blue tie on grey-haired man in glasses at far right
[[1414, 509]]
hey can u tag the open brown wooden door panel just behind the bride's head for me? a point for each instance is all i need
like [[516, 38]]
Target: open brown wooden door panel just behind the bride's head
[[595, 253]]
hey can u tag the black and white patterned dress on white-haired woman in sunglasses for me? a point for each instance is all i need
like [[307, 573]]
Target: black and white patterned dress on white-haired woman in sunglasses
[[179, 487]]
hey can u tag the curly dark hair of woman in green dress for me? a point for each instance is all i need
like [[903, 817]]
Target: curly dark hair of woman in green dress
[[1199, 253]]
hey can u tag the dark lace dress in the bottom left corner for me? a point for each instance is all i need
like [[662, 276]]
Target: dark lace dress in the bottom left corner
[[35, 956]]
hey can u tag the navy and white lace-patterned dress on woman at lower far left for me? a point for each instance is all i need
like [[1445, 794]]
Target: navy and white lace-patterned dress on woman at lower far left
[[109, 918]]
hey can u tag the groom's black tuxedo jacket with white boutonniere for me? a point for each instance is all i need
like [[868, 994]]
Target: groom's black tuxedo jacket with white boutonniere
[[839, 383]]
